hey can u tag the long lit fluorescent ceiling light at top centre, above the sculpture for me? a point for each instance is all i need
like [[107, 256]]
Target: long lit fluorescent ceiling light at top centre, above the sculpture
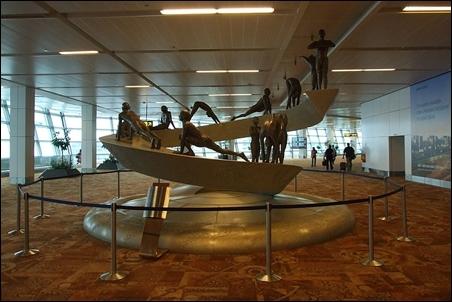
[[207, 11]]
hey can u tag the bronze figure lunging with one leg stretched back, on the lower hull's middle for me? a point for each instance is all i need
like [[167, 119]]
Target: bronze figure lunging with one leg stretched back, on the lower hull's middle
[[192, 136]]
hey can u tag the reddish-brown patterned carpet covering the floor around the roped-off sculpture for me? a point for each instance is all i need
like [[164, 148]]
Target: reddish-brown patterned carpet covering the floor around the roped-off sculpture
[[70, 261]]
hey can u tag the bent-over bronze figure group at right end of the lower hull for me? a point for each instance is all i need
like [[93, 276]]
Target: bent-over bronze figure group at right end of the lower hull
[[274, 136]]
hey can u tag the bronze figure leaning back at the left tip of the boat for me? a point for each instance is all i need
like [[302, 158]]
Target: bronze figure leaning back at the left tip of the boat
[[129, 122]]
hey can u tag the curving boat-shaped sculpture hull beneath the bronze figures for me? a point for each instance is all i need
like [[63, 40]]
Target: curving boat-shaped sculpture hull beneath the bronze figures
[[217, 174]]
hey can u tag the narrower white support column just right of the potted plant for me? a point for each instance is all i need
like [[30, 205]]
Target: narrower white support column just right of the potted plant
[[89, 114]]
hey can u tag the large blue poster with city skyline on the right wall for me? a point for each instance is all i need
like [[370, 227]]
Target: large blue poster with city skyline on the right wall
[[430, 128]]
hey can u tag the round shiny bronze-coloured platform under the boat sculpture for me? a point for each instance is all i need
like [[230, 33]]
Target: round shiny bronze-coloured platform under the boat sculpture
[[211, 232]]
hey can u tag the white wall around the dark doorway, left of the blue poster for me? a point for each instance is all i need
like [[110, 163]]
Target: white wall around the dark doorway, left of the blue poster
[[381, 118]]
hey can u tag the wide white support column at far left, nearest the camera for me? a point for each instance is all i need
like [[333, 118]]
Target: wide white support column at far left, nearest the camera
[[22, 139]]
